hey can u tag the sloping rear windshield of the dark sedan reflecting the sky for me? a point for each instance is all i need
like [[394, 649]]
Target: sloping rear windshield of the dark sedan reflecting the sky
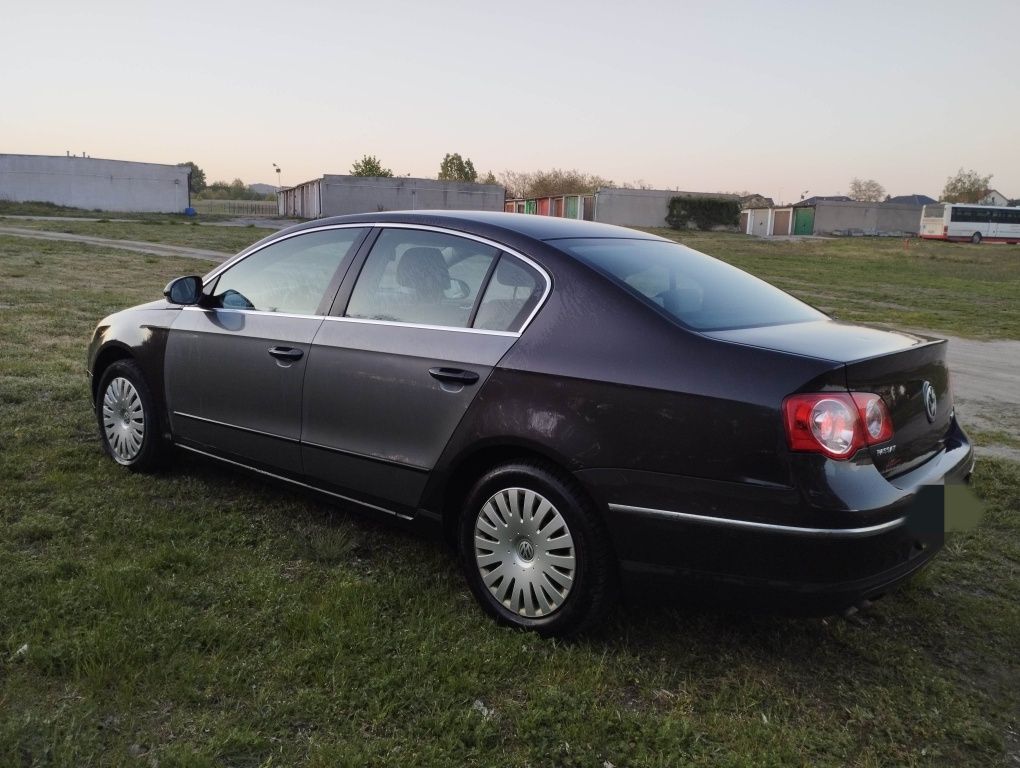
[[702, 293]]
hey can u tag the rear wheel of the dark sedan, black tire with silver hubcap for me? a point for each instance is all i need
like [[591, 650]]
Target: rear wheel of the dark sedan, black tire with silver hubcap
[[587, 594]]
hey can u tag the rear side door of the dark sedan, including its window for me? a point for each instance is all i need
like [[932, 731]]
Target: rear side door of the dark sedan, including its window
[[392, 374]]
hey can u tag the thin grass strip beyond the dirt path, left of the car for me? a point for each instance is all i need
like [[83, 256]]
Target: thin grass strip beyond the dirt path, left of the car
[[171, 231]]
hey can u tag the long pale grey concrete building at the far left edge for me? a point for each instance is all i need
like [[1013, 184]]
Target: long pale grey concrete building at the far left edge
[[94, 184]]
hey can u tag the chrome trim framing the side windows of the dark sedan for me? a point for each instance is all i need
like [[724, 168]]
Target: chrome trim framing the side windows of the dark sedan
[[388, 226]]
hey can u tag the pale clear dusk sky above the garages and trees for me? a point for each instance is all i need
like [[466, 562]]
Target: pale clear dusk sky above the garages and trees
[[783, 98]]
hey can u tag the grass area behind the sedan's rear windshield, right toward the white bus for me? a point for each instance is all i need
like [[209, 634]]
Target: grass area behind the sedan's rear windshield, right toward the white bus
[[970, 291]]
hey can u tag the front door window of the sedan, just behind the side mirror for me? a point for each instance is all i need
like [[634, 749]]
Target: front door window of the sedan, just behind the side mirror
[[291, 276]]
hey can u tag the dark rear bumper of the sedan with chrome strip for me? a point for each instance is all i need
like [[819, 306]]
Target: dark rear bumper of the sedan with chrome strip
[[776, 545]]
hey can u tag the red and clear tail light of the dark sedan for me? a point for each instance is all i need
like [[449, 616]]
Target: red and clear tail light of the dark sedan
[[838, 425]]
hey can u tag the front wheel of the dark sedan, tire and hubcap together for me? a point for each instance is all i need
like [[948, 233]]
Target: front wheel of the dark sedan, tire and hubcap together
[[128, 419]]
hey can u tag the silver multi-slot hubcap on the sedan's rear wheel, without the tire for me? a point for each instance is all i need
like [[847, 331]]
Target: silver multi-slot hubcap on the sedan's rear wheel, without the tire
[[525, 552]]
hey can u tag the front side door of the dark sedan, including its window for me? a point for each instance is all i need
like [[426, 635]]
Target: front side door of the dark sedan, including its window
[[236, 365]]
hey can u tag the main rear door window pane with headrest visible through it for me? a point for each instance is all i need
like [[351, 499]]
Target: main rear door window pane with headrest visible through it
[[422, 278]]
